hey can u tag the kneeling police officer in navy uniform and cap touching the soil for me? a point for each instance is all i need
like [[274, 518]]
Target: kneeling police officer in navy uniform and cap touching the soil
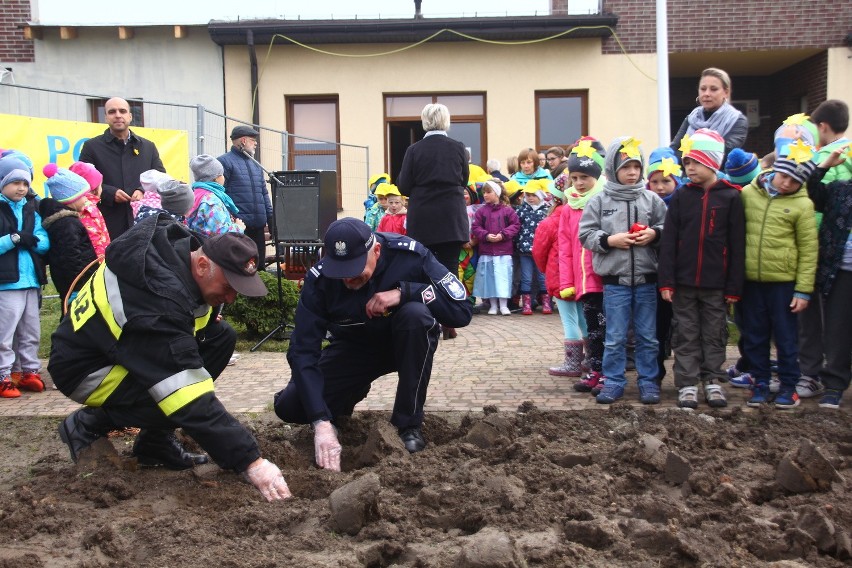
[[382, 297]]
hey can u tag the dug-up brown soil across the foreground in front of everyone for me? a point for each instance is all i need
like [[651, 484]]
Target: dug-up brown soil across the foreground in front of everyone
[[621, 487]]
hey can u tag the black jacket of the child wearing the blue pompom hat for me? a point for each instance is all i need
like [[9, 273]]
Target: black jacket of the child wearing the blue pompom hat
[[71, 249]]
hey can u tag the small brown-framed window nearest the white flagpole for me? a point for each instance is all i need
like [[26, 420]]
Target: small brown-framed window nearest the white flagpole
[[561, 117]]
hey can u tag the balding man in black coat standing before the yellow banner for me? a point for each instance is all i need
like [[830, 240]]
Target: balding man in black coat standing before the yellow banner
[[121, 156]]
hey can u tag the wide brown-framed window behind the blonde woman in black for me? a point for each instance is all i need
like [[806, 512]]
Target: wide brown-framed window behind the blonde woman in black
[[404, 128]]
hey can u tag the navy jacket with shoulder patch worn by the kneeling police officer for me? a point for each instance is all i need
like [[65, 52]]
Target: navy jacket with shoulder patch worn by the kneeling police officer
[[326, 305]]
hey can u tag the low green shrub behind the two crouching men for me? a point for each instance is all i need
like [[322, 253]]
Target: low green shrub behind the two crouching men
[[261, 315]]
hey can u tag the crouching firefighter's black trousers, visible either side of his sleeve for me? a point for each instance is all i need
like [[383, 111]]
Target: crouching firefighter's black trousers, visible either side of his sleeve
[[134, 407]]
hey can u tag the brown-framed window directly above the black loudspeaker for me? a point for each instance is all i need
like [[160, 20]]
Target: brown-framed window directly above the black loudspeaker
[[314, 136]]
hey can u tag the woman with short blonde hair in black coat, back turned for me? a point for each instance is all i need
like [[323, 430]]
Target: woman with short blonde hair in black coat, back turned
[[433, 177]]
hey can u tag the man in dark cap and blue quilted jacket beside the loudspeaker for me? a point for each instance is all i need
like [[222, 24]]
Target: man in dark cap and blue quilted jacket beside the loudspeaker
[[245, 185]]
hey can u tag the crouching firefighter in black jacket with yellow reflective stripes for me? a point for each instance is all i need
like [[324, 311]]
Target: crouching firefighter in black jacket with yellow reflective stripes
[[139, 348]]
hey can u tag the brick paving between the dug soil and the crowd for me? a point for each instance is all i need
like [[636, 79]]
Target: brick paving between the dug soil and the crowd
[[496, 360]]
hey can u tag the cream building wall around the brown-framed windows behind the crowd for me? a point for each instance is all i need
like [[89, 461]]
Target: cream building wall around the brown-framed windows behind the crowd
[[622, 101]]
